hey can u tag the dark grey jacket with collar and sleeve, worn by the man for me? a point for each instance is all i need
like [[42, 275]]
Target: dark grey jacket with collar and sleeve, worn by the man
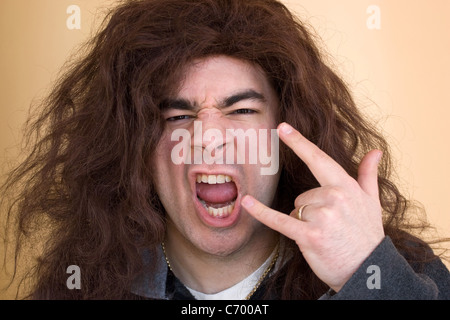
[[385, 275]]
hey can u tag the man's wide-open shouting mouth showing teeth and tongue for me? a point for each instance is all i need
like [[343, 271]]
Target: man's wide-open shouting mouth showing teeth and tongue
[[217, 194]]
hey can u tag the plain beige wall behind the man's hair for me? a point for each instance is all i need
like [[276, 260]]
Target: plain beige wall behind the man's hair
[[397, 63]]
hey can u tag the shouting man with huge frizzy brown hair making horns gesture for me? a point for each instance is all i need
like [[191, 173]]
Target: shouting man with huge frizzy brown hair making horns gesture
[[146, 176]]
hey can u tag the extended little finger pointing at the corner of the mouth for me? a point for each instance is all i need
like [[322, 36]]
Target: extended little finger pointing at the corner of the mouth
[[286, 225]]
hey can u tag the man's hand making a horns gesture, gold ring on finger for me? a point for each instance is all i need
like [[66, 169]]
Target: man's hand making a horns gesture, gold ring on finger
[[342, 222]]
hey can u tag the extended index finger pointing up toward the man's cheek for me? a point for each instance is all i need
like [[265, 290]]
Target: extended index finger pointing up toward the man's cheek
[[323, 167]]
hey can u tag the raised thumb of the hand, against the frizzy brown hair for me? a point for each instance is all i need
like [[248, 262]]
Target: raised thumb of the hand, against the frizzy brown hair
[[368, 173]]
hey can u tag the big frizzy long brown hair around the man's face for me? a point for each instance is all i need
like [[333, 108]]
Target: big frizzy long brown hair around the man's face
[[88, 179]]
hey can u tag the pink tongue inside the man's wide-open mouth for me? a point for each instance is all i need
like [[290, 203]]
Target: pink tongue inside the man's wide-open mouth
[[217, 193]]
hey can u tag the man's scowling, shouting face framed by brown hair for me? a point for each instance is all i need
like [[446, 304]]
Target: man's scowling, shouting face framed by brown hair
[[217, 96]]
